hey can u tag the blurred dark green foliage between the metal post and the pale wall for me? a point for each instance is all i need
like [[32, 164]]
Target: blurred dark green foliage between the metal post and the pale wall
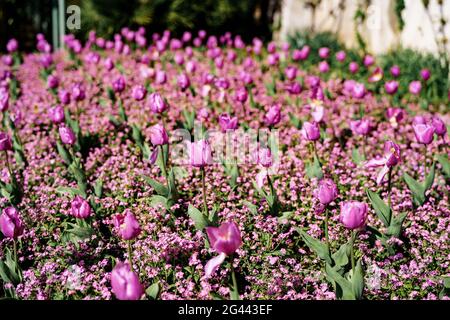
[[249, 18]]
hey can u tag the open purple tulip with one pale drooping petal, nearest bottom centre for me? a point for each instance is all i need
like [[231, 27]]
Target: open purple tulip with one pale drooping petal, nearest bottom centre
[[225, 240]]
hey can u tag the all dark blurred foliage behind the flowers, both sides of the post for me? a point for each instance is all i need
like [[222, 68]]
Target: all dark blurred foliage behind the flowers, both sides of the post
[[22, 19]]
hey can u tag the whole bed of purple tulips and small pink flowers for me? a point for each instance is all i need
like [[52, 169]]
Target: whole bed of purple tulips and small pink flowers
[[114, 181]]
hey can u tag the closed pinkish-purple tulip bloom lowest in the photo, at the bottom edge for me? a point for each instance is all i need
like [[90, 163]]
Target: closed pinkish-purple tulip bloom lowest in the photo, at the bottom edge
[[125, 283]]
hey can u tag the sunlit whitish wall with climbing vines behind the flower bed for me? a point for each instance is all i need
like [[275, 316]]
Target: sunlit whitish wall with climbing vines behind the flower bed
[[380, 29]]
